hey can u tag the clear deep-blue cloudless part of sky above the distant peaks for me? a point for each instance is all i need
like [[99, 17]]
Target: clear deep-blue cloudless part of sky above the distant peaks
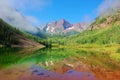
[[73, 11]]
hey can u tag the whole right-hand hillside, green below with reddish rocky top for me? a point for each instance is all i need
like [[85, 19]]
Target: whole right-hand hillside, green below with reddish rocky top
[[104, 30]]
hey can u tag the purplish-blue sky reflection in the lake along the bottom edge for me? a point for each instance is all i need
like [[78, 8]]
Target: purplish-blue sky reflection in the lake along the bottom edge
[[38, 73]]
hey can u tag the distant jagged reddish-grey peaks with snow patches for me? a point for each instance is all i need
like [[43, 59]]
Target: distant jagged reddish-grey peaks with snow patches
[[62, 27]]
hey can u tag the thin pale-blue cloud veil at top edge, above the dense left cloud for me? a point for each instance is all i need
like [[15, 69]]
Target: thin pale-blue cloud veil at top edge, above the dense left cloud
[[33, 5]]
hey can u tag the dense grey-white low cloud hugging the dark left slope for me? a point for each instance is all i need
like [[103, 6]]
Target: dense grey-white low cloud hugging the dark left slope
[[17, 20]]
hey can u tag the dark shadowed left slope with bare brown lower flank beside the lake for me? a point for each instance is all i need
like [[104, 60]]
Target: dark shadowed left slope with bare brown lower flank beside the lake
[[10, 36]]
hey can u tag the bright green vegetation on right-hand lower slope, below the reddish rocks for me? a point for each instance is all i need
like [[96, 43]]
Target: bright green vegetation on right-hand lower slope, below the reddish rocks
[[100, 37]]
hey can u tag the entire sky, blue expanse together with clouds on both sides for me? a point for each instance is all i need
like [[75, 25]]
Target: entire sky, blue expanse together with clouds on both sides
[[36, 12]]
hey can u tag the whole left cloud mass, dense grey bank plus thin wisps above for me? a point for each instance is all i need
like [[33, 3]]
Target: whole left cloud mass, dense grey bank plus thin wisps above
[[10, 12]]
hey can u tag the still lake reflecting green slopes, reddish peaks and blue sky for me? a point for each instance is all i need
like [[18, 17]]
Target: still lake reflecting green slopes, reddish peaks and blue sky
[[51, 64]]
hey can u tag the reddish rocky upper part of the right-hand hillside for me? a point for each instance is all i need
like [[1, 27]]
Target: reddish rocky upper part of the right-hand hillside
[[106, 21]]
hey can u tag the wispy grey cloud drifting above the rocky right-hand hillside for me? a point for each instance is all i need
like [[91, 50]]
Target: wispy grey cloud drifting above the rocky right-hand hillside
[[107, 7]]
